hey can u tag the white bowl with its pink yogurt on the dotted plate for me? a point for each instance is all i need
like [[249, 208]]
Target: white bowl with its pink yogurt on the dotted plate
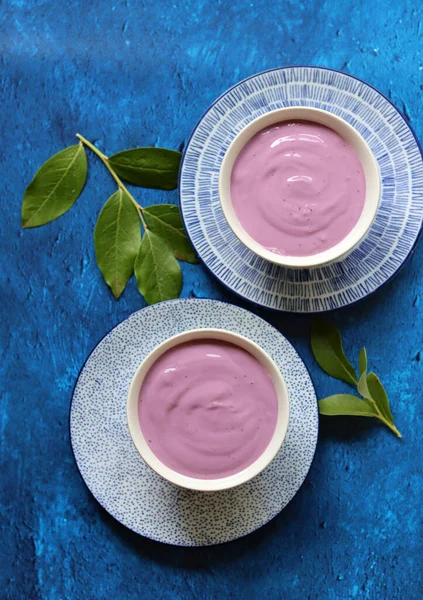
[[208, 409]]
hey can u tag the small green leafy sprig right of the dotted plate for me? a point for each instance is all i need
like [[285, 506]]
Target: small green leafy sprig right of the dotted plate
[[326, 344]]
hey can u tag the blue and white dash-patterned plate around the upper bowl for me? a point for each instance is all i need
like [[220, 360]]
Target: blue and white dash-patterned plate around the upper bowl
[[390, 240]]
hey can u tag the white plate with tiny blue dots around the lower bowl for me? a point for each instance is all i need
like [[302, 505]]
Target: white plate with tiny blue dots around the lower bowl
[[134, 494]]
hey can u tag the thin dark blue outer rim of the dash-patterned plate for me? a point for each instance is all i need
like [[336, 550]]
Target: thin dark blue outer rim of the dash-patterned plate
[[225, 285]]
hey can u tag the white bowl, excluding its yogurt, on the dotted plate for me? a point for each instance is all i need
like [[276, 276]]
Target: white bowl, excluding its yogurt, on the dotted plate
[[223, 483]]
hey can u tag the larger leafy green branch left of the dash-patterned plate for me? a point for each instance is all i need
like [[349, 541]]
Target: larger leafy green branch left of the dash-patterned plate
[[128, 238]]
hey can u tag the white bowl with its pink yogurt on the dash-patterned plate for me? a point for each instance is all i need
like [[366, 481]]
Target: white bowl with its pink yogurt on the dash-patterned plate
[[300, 187]]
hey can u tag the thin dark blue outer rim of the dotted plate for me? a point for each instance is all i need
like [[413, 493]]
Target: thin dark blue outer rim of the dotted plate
[[152, 538]]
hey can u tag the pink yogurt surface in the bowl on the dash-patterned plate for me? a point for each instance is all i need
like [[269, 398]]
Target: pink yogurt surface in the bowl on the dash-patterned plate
[[298, 188]]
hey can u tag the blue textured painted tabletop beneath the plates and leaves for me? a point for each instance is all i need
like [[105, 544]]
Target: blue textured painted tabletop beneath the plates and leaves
[[141, 73]]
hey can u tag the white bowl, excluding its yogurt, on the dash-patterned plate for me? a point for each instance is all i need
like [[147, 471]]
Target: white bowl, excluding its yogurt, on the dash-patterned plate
[[350, 135]]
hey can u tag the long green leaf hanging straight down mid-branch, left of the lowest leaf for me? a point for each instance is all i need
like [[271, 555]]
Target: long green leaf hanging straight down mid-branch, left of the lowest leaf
[[117, 238]]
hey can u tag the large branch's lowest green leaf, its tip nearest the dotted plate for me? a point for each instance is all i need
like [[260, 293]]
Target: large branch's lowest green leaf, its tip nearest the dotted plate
[[157, 271]]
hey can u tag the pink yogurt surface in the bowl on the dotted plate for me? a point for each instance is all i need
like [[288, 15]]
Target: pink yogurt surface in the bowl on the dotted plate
[[207, 409]]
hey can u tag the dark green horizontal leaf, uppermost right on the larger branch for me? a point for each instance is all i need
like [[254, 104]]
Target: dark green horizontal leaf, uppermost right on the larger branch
[[148, 167]]
